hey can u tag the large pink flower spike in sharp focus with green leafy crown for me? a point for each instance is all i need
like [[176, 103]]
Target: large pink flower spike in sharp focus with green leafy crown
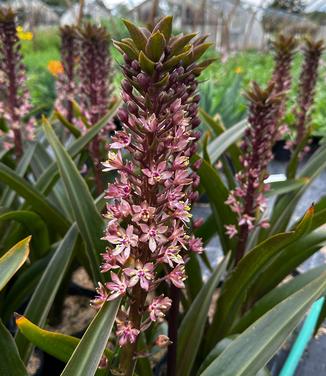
[[149, 203]]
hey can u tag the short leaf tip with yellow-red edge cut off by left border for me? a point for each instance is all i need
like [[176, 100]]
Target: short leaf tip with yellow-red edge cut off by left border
[[11, 261]]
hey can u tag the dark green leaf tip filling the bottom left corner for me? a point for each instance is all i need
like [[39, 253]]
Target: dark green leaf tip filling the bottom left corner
[[10, 362]]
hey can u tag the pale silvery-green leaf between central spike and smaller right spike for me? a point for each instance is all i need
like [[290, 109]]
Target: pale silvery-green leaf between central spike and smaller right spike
[[217, 147]]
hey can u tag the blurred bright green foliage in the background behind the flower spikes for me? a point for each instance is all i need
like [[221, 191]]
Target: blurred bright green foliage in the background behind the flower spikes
[[221, 88]]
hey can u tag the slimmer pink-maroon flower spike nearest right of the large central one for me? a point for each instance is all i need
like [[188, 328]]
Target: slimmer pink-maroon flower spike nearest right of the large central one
[[248, 200]]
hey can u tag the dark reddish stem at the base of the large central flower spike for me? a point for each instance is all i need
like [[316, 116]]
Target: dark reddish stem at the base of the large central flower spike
[[127, 359]]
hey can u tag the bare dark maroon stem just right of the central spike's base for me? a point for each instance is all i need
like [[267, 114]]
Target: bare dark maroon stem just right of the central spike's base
[[173, 331]]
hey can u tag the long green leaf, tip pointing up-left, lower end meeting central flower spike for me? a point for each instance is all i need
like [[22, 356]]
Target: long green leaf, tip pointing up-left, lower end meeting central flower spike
[[88, 219]]
